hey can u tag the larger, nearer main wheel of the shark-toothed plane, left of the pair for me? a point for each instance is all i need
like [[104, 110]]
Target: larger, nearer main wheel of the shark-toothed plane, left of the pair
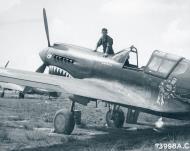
[[64, 122]]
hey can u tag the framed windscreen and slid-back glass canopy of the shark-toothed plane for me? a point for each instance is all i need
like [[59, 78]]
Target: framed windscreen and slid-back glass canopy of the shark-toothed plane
[[161, 64]]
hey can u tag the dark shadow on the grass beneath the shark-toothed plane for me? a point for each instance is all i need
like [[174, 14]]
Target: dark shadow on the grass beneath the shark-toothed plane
[[121, 139]]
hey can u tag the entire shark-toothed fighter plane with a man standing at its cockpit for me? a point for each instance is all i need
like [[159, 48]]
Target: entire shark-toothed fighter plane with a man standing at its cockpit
[[159, 88]]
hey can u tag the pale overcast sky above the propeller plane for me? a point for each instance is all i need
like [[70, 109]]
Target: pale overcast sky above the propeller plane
[[147, 24]]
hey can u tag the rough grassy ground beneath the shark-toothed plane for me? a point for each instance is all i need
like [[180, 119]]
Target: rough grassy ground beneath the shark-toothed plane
[[26, 124]]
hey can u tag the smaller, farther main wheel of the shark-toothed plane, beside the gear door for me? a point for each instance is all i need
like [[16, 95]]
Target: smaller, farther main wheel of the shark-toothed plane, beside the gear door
[[115, 119]]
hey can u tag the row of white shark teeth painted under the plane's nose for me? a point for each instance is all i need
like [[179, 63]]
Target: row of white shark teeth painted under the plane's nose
[[58, 71]]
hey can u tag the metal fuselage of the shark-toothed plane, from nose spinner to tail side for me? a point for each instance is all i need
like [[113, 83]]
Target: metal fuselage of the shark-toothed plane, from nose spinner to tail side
[[83, 63]]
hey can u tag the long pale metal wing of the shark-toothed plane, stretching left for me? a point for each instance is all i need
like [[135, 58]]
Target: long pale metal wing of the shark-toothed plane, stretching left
[[90, 88]]
